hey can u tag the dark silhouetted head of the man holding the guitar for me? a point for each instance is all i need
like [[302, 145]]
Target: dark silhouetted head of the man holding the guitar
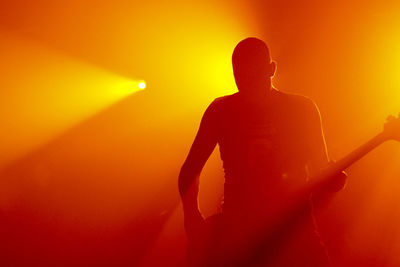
[[252, 65]]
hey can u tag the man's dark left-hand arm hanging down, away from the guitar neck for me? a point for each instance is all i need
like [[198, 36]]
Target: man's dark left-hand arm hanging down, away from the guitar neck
[[202, 147]]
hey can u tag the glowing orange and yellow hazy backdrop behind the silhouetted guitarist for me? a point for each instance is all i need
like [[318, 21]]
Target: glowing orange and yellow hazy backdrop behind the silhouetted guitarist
[[89, 163]]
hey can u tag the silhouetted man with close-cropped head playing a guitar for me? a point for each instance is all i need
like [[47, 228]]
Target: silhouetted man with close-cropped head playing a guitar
[[270, 142]]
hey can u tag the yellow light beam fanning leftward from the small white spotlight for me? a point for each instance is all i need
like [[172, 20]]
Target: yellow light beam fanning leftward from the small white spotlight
[[57, 92]]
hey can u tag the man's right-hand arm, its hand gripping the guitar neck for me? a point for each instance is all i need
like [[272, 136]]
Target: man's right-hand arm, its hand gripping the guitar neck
[[318, 156]]
